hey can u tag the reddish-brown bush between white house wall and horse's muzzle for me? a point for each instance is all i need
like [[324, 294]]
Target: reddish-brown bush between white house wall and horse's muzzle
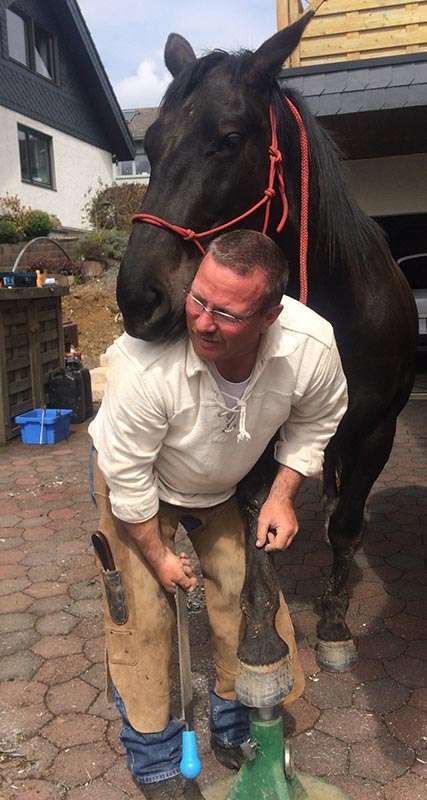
[[113, 206]]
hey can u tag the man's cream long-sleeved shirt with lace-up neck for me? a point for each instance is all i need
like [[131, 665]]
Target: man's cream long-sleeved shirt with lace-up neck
[[164, 431]]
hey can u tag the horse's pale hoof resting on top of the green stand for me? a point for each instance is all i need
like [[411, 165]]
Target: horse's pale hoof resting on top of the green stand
[[264, 686]]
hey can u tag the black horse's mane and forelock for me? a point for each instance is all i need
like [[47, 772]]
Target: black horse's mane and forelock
[[339, 229]]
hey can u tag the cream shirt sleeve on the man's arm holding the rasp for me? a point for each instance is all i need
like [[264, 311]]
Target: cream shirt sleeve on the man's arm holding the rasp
[[128, 433]]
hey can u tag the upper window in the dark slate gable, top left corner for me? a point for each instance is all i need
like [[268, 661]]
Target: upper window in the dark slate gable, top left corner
[[30, 45]]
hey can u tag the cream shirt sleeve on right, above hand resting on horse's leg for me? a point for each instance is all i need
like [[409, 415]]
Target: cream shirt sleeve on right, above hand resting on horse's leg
[[314, 417]]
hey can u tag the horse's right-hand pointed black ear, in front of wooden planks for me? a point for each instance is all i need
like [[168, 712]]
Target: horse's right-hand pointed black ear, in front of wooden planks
[[268, 59]]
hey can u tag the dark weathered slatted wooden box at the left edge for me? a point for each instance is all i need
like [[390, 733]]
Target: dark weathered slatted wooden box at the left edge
[[31, 346]]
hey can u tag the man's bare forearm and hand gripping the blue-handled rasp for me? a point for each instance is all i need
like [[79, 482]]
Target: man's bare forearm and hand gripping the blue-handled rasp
[[171, 570]]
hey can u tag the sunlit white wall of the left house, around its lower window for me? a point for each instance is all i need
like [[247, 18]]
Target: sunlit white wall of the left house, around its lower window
[[77, 167]]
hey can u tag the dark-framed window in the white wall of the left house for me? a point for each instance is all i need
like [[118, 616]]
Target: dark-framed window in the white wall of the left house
[[35, 150]]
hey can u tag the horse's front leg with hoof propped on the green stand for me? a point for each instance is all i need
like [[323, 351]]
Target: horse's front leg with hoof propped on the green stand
[[265, 678]]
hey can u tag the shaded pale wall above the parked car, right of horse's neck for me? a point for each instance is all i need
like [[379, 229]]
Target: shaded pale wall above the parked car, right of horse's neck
[[390, 186]]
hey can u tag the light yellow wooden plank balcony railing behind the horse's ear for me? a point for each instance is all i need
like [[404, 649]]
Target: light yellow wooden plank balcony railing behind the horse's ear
[[350, 30]]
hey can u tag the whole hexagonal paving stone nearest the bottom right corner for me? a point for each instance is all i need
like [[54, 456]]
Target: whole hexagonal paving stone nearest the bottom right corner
[[380, 759]]
